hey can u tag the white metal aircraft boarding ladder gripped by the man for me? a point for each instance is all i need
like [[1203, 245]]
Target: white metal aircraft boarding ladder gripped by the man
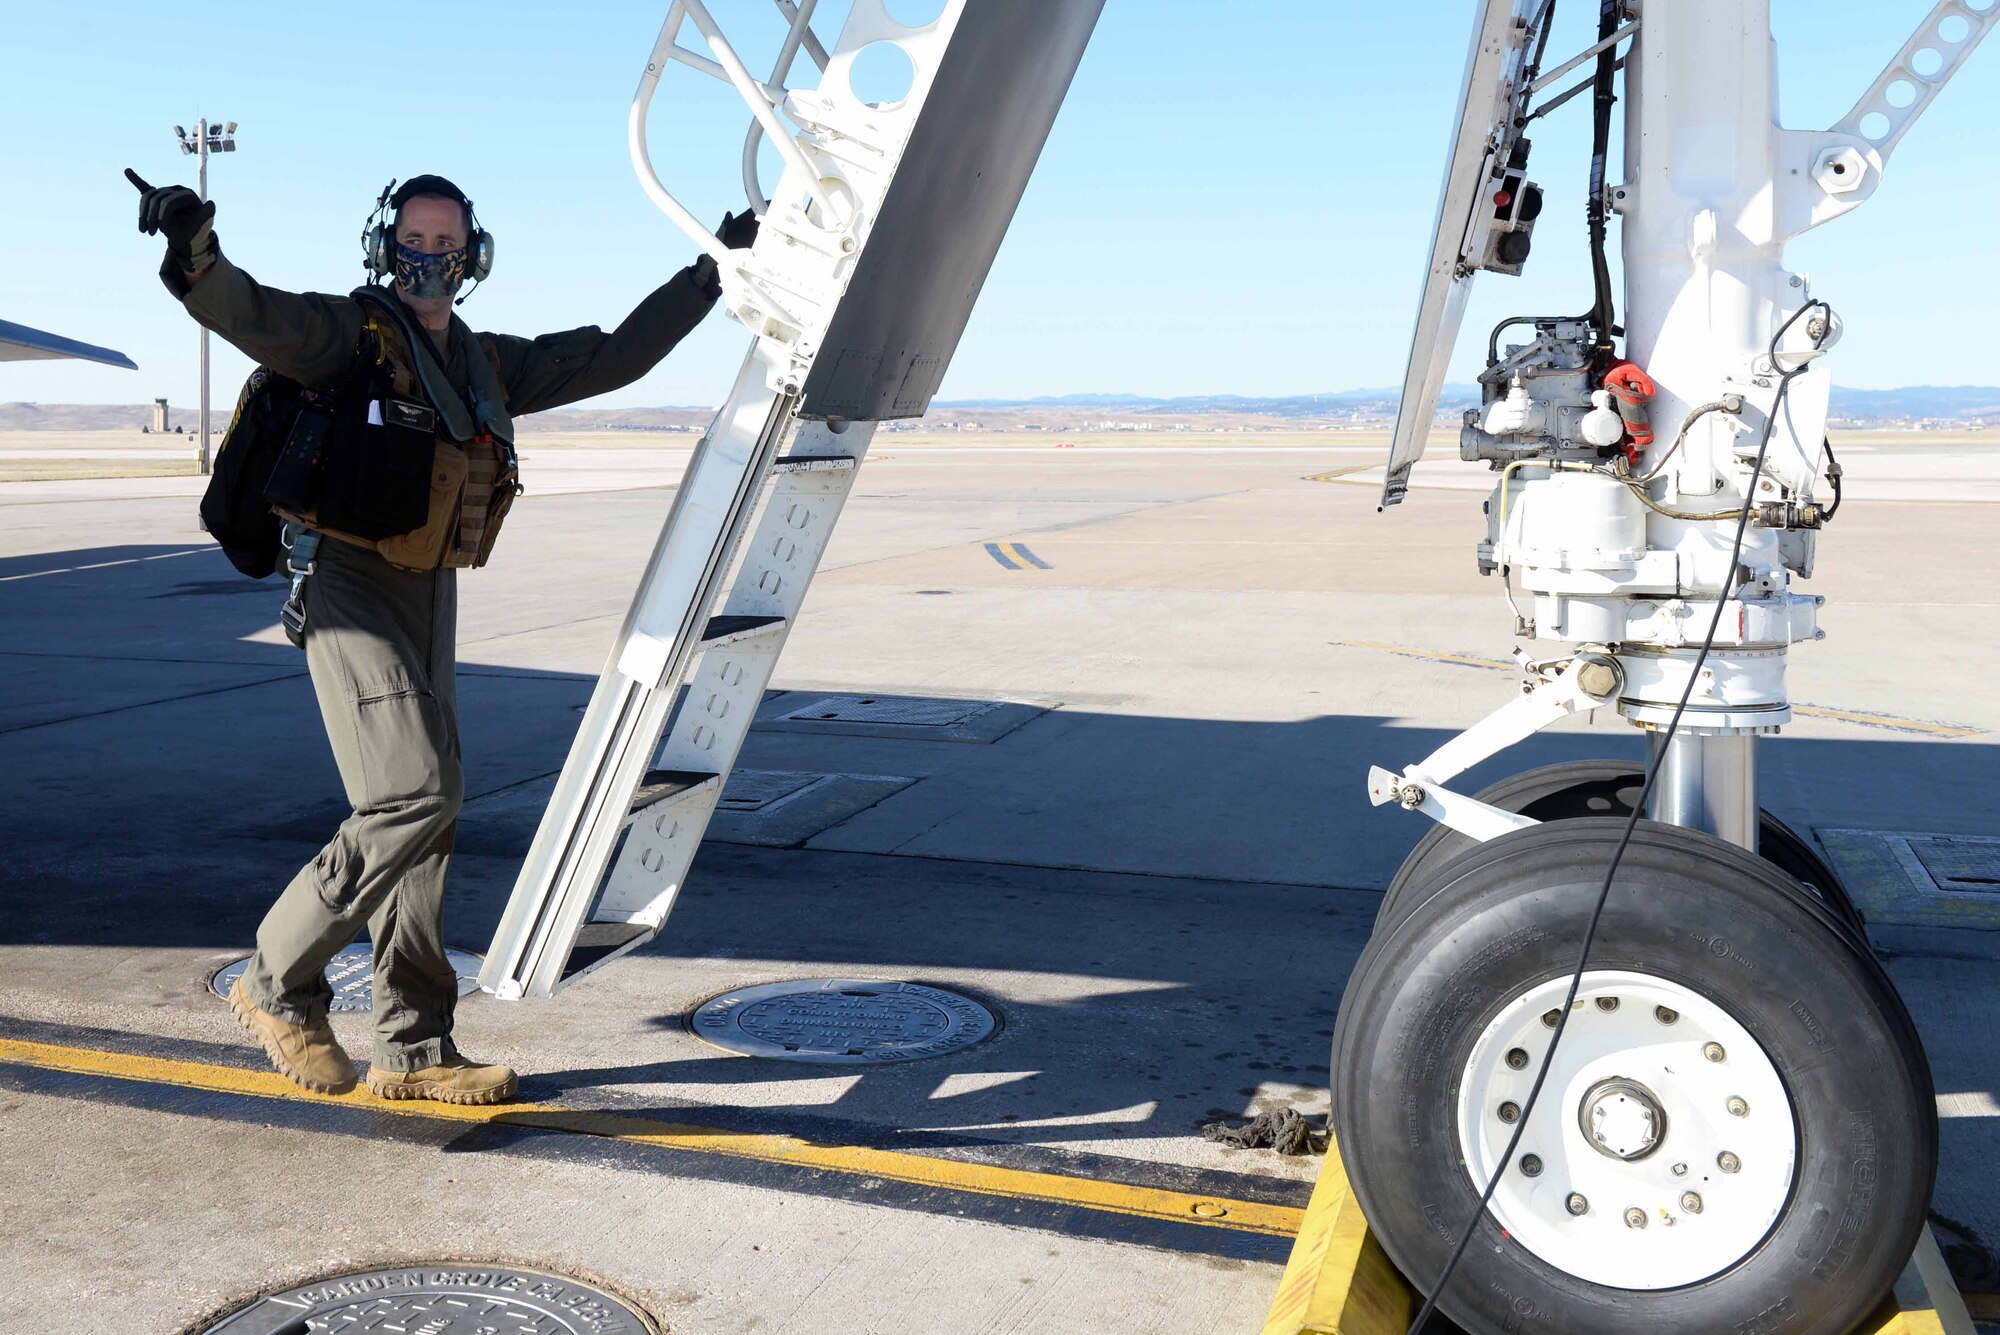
[[625, 822]]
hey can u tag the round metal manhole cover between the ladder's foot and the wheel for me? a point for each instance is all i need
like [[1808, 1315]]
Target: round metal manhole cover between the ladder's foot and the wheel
[[843, 1020]]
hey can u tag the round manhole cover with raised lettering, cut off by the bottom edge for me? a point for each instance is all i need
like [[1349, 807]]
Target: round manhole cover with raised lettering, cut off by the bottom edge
[[447, 1298]]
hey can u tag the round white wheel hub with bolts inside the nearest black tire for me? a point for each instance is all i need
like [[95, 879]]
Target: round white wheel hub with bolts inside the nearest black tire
[[1663, 1146]]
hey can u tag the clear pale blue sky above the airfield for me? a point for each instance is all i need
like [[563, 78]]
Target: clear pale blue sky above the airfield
[[1237, 197]]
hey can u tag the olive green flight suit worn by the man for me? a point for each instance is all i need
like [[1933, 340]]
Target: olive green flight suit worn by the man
[[381, 647]]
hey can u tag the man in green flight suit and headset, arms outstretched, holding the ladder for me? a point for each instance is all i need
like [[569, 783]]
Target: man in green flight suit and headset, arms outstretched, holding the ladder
[[383, 615]]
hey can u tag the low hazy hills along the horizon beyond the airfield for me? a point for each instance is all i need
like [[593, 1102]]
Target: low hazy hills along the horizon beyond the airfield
[[1917, 409]]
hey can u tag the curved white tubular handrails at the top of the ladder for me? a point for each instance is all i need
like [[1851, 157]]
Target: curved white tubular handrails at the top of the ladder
[[729, 67]]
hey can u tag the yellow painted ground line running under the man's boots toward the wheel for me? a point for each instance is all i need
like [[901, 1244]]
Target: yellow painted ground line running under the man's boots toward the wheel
[[853, 1160]]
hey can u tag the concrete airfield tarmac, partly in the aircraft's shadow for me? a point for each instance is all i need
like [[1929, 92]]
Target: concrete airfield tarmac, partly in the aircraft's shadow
[[1159, 878]]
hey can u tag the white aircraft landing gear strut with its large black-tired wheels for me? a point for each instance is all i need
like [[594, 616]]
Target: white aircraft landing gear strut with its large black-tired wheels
[[1719, 1118]]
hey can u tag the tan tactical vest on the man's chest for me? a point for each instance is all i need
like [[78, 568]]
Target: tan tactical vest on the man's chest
[[473, 485]]
